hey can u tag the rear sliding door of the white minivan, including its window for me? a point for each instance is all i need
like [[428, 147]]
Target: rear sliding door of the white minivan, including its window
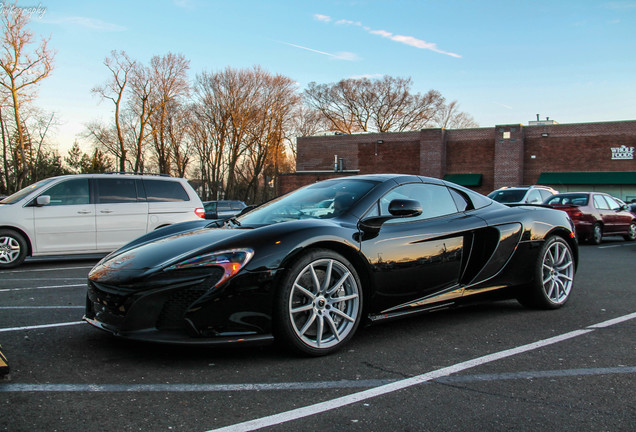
[[120, 215]]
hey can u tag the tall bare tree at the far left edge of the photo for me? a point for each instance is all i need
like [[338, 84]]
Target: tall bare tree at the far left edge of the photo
[[23, 67]]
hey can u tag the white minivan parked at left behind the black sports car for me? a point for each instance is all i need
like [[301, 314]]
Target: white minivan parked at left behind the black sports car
[[90, 213]]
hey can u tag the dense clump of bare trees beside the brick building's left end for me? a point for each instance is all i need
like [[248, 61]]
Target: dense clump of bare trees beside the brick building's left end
[[244, 117]]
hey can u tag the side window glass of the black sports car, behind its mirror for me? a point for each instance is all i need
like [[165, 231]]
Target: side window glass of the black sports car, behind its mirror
[[435, 200]]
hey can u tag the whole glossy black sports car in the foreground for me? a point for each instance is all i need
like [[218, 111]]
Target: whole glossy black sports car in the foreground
[[309, 267]]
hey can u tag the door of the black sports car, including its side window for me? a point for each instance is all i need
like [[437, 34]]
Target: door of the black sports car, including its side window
[[417, 257]]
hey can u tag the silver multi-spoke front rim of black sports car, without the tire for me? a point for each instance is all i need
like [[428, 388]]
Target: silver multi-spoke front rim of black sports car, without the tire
[[323, 303]]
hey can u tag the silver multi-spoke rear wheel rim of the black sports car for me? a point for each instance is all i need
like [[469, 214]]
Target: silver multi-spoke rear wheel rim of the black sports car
[[558, 272]]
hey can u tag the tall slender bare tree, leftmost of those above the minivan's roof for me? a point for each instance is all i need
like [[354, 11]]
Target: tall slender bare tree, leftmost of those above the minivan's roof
[[120, 67]]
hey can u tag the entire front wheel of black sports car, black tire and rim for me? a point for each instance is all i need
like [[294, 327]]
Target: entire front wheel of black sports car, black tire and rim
[[318, 303]]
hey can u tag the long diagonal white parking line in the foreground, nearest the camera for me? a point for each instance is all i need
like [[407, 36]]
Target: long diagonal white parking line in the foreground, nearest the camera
[[329, 405]]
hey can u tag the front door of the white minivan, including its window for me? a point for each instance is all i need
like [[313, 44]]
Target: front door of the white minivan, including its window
[[67, 223]]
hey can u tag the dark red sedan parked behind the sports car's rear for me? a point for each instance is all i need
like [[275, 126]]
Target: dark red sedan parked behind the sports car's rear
[[596, 214]]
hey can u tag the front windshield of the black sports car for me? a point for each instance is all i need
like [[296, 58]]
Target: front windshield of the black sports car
[[322, 200]]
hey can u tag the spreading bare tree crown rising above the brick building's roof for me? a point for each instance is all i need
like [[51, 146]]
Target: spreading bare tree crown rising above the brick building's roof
[[381, 105]]
